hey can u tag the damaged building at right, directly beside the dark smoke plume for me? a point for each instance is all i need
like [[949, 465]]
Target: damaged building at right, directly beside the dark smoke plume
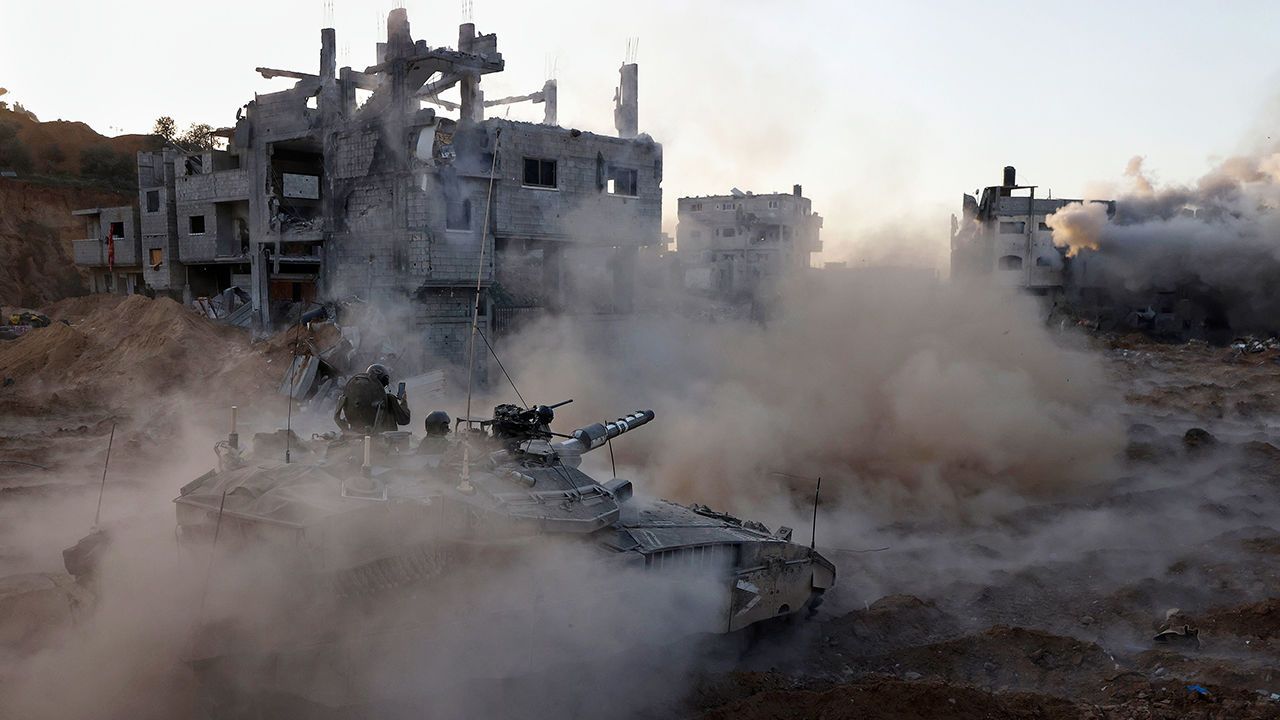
[[1004, 236]]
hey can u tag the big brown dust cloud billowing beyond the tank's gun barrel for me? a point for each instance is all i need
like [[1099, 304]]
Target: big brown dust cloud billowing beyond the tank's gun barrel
[[909, 398]]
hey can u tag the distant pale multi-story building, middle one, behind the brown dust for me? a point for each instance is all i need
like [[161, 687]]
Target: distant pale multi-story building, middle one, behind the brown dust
[[735, 245]]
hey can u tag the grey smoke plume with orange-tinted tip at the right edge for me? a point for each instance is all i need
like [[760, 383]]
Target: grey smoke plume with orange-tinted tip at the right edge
[[1217, 241]]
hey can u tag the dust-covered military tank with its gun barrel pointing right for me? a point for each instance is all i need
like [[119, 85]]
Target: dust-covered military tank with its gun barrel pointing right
[[349, 520]]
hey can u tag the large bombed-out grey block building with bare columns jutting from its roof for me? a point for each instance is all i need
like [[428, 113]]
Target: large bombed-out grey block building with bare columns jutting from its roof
[[350, 185]]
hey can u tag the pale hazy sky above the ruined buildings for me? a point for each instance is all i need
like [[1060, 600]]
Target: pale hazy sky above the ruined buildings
[[885, 112]]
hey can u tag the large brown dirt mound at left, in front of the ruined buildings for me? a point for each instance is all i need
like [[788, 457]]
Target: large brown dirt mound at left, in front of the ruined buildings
[[138, 347]]
